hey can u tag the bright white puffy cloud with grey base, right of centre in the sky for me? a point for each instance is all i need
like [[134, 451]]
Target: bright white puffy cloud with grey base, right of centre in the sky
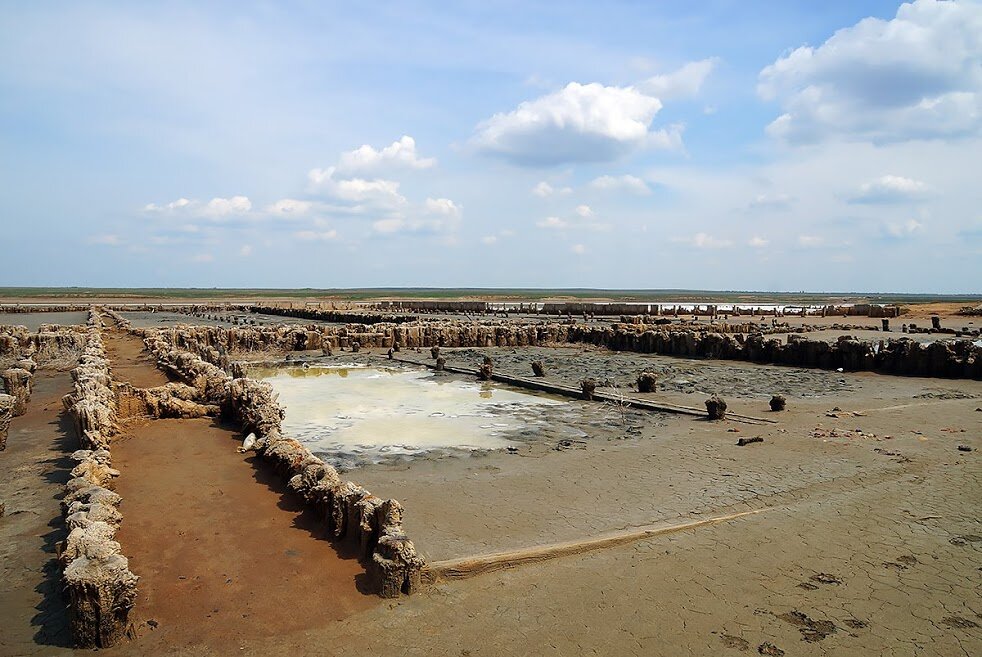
[[580, 123]]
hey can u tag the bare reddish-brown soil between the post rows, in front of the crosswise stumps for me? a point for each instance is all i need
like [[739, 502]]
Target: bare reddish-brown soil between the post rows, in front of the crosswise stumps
[[223, 552]]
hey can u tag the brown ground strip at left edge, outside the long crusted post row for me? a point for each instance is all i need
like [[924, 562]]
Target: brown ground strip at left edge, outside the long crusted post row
[[33, 471]]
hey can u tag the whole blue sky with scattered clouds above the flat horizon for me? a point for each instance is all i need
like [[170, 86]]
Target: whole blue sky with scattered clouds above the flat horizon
[[724, 144]]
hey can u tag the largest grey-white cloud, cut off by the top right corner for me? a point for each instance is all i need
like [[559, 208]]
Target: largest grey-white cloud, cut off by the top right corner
[[917, 76]]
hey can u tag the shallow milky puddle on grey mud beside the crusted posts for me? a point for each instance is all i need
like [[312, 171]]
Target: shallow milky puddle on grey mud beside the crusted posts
[[355, 415]]
